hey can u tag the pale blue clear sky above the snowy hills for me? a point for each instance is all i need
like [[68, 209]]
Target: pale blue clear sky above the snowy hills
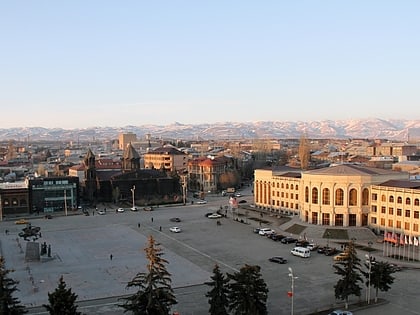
[[79, 64]]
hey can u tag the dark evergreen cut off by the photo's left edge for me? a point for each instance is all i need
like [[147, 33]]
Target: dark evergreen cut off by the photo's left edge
[[9, 305]]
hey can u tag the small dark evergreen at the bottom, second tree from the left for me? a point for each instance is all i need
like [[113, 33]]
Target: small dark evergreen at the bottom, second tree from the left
[[62, 300]]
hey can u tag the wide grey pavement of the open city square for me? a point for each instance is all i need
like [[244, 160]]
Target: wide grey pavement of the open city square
[[81, 248]]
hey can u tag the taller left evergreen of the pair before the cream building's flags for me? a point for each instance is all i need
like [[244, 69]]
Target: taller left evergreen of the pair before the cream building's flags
[[350, 271]]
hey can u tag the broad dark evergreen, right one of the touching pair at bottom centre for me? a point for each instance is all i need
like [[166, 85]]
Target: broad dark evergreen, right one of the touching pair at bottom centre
[[247, 292]]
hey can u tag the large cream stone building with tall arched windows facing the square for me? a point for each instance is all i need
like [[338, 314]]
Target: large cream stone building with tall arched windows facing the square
[[342, 195]]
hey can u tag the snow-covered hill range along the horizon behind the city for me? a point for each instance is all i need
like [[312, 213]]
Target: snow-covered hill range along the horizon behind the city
[[372, 128]]
